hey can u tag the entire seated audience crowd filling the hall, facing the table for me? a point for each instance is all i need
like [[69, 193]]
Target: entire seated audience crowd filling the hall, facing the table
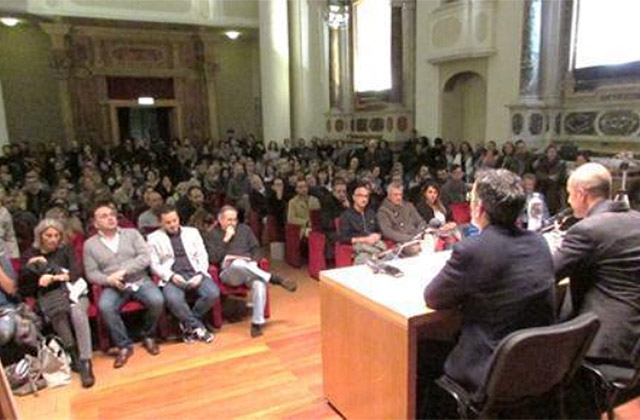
[[118, 216]]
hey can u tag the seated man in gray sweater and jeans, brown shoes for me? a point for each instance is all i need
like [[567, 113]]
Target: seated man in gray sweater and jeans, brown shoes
[[117, 259]]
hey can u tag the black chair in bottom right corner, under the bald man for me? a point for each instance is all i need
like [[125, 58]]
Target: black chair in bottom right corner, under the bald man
[[614, 382]]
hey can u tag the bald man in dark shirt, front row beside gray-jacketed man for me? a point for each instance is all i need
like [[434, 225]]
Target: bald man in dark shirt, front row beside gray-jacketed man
[[359, 227]]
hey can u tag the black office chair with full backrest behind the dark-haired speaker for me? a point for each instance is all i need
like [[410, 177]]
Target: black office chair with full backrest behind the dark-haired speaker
[[527, 365]]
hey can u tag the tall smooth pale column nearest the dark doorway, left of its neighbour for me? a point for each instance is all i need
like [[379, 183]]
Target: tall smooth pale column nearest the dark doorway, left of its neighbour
[[274, 70]]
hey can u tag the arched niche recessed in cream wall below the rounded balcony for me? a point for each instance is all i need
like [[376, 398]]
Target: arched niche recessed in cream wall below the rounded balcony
[[464, 108]]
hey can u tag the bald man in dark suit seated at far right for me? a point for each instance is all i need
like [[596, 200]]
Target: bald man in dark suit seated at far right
[[601, 255]]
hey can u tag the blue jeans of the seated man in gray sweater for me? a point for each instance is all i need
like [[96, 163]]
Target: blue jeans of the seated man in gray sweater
[[111, 300]]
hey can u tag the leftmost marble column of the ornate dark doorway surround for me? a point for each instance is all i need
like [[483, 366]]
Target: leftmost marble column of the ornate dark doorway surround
[[60, 63]]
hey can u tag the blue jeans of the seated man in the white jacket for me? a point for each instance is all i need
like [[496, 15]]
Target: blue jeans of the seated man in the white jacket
[[207, 292]]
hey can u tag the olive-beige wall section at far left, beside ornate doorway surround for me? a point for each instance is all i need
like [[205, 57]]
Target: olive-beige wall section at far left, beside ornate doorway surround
[[29, 88]]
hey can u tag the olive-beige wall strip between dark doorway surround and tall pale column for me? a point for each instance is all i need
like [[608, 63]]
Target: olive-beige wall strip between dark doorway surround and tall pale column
[[237, 83]]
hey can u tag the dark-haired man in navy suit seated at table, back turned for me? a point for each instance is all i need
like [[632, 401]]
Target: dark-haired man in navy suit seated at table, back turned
[[501, 280]]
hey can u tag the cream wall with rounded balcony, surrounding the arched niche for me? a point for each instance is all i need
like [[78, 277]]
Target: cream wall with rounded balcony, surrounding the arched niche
[[496, 58]]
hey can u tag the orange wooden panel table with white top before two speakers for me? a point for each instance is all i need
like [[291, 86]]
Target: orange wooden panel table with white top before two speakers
[[370, 329]]
